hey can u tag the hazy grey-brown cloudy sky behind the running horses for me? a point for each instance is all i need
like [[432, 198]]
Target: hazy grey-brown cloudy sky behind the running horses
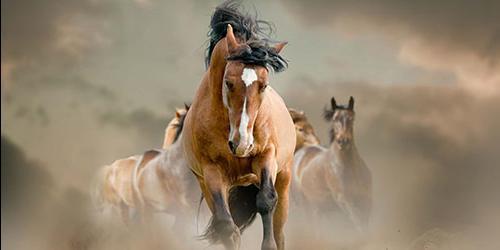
[[86, 82]]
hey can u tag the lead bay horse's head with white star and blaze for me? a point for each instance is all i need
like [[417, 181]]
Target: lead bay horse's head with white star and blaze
[[244, 87]]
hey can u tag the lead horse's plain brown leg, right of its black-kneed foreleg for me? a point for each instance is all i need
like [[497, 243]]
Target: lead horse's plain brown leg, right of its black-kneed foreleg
[[281, 212]]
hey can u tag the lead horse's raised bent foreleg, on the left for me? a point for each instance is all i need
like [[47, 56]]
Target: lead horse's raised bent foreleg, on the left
[[222, 227]]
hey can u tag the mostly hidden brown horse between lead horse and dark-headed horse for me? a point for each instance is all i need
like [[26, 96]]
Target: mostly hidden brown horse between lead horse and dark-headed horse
[[305, 135]]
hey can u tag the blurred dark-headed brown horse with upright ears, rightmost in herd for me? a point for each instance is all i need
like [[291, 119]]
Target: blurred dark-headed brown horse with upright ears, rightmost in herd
[[336, 177]]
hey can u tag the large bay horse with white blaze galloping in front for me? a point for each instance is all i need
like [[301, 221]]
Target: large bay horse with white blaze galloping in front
[[238, 136]]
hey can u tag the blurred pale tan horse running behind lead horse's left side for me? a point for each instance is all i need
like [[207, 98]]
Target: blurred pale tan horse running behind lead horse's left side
[[157, 180]]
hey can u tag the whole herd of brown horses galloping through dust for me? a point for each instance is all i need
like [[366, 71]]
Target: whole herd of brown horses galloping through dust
[[240, 148]]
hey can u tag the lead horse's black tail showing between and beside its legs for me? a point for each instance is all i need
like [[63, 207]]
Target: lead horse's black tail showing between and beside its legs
[[243, 208]]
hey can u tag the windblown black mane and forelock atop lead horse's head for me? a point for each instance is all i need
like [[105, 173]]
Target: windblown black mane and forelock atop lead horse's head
[[255, 33]]
